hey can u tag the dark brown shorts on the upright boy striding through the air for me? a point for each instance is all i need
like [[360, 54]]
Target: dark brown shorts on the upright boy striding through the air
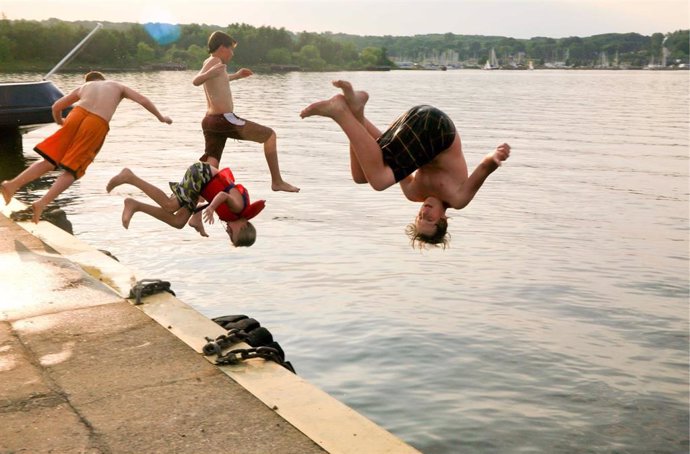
[[218, 128]]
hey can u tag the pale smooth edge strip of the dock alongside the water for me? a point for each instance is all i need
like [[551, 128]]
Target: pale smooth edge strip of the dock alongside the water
[[329, 423]]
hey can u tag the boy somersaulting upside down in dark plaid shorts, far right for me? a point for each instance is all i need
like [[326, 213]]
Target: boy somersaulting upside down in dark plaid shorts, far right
[[421, 150]]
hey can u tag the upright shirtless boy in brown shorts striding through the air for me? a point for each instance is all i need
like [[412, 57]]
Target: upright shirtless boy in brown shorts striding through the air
[[220, 123]]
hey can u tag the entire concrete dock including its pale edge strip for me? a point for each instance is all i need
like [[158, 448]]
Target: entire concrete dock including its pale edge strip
[[84, 370]]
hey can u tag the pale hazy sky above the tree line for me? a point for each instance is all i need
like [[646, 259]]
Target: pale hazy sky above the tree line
[[517, 19]]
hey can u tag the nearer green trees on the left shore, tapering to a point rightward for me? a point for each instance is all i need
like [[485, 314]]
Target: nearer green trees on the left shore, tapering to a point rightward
[[38, 45]]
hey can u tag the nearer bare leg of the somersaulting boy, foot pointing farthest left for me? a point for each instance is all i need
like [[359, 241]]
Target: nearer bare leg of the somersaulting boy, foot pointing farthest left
[[364, 146]]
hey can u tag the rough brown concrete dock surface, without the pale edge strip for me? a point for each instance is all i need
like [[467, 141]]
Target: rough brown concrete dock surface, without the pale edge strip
[[82, 370]]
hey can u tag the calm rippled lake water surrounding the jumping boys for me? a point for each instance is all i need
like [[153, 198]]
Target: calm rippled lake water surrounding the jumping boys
[[557, 321]]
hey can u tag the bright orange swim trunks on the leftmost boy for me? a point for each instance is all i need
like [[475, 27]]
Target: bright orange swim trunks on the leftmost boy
[[74, 146]]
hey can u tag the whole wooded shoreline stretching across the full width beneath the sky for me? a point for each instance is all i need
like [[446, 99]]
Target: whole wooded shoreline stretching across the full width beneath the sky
[[38, 45]]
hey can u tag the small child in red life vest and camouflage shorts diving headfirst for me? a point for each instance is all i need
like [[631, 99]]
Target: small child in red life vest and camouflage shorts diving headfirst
[[229, 200]]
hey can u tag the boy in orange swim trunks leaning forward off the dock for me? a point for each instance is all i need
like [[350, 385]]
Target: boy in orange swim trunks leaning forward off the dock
[[74, 146]]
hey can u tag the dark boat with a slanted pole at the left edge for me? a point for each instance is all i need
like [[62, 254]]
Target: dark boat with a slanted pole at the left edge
[[25, 106]]
